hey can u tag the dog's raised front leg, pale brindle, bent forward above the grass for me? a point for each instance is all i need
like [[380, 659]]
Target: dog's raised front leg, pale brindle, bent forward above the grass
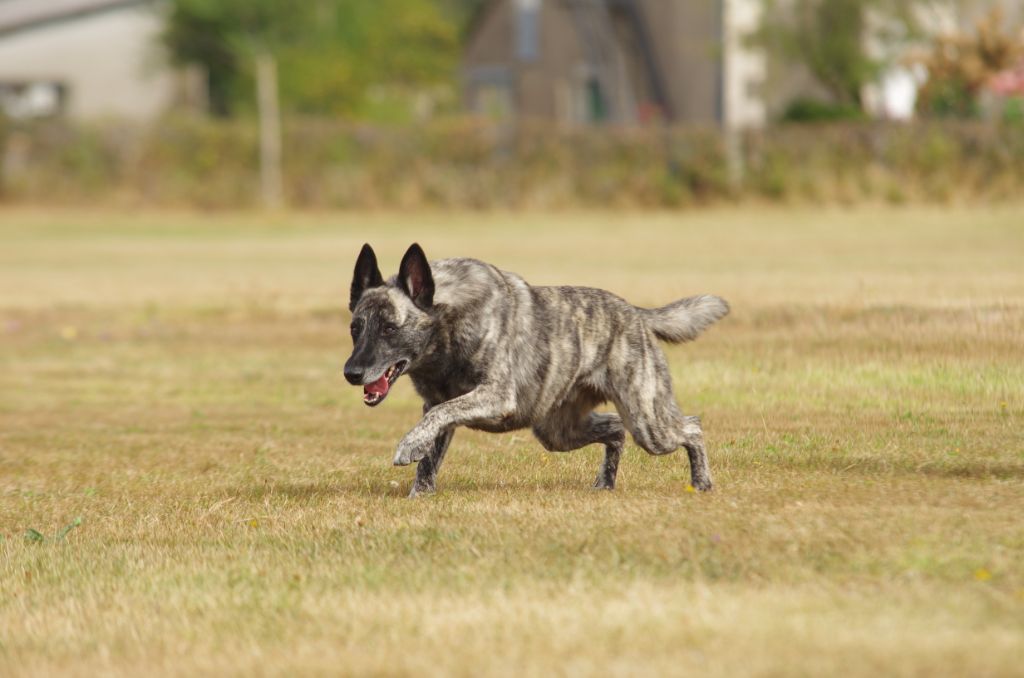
[[482, 403]]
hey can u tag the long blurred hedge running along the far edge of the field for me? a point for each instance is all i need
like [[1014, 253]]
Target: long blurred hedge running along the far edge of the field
[[467, 164]]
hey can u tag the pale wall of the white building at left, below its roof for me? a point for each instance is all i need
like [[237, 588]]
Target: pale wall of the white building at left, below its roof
[[110, 63]]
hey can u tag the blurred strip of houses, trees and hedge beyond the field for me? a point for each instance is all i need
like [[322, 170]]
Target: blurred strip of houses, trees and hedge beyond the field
[[508, 104]]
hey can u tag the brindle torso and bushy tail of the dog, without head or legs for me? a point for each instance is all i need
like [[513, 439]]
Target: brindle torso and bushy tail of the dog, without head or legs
[[550, 343]]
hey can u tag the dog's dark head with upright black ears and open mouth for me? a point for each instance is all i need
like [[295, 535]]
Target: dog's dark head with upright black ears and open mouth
[[391, 322]]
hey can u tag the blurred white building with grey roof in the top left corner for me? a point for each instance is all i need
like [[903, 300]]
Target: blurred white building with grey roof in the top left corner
[[84, 59]]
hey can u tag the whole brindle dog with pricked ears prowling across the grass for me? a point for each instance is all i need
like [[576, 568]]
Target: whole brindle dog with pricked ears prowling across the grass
[[487, 351]]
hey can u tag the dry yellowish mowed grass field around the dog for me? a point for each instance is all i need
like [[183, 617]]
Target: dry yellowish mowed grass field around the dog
[[210, 497]]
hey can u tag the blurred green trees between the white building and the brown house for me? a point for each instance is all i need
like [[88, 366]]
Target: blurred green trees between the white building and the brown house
[[331, 54]]
